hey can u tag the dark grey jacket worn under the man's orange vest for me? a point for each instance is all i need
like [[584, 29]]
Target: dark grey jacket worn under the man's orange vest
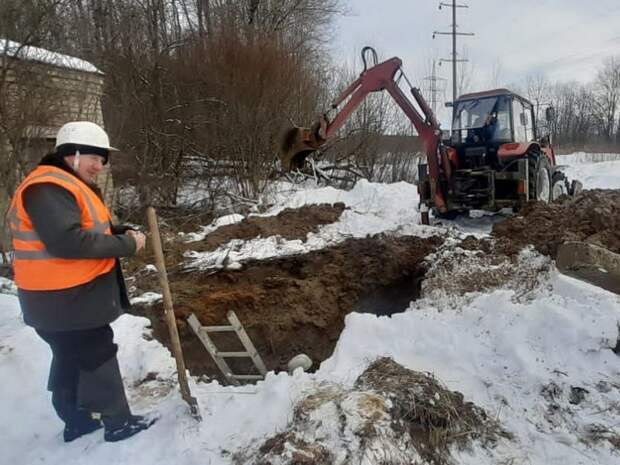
[[56, 217]]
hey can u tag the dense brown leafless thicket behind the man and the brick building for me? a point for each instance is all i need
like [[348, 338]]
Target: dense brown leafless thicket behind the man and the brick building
[[196, 87]]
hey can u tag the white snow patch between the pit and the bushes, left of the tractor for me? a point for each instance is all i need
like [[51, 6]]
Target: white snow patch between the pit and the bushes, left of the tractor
[[373, 208]]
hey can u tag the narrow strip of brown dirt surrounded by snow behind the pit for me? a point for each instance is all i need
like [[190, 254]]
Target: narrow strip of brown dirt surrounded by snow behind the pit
[[290, 224]]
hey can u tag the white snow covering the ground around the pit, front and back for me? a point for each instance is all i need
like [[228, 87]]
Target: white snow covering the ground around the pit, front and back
[[543, 366]]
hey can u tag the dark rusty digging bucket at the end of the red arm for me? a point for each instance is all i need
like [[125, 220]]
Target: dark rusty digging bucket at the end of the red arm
[[298, 143]]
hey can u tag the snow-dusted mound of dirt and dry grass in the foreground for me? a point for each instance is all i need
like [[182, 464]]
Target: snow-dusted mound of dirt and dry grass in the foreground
[[392, 415]]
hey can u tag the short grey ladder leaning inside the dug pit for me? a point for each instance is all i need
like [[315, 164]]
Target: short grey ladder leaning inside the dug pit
[[219, 357]]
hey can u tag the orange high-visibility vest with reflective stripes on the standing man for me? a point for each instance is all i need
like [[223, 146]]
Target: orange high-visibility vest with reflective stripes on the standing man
[[34, 267]]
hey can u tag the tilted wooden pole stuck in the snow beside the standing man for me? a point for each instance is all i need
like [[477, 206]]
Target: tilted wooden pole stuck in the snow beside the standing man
[[169, 313]]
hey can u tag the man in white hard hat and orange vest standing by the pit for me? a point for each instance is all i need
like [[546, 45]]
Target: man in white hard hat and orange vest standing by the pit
[[70, 283]]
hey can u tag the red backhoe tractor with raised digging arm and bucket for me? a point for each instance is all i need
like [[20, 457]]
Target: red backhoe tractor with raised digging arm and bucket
[[493, 159]]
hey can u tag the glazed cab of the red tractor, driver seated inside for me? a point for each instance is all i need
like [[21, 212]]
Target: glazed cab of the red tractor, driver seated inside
[[483, 121]]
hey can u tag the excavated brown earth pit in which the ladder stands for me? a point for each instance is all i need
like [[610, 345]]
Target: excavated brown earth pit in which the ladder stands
[[295, 304]]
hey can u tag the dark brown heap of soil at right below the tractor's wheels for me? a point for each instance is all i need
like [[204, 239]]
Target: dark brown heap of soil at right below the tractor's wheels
[[593, 216]]
